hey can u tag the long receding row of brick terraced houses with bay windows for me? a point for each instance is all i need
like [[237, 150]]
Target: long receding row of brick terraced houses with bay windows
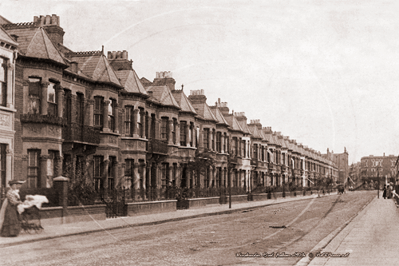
[[87, 114]]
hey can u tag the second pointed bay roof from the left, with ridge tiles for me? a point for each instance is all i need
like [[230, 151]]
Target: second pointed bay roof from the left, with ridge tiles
[[96, 66]]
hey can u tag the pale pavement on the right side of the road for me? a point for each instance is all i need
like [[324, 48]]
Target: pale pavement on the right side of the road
[[371, 238]]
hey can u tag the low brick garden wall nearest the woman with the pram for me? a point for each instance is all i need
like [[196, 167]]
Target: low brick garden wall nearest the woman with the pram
[[55, 215]]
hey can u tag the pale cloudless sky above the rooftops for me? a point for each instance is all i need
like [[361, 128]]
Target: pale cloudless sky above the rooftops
[[325, 73]]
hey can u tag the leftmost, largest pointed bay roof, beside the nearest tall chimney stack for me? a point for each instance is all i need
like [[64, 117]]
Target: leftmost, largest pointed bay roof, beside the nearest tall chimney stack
[[34, 42]]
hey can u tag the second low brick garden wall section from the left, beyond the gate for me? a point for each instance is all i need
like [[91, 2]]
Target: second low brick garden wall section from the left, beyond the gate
[[137, 208]]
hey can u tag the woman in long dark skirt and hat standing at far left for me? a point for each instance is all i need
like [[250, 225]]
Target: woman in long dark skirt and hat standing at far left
[[10, 222]]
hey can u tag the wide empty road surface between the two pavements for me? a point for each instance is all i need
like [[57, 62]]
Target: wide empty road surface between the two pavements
[[214, 240]]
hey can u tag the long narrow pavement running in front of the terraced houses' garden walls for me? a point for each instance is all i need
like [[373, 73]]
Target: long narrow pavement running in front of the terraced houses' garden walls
[[69, 229]]
